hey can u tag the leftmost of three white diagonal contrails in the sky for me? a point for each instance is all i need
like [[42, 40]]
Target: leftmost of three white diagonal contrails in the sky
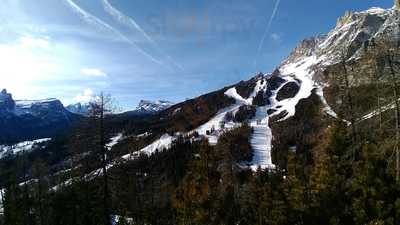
[[94, 21]]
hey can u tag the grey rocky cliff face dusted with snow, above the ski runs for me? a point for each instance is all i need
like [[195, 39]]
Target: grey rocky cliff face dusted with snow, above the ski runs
[[359, 39]]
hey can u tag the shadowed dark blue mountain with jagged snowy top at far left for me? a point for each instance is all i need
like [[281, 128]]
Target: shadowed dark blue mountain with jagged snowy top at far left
[[31, 119]]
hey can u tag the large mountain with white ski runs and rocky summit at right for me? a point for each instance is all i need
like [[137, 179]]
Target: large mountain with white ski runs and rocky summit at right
[[312, 75]]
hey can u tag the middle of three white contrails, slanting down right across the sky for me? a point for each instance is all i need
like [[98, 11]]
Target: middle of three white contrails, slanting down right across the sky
[[132, 24]]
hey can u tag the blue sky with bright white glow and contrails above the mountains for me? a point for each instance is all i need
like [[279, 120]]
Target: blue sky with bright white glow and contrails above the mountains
[[153, 49]]
